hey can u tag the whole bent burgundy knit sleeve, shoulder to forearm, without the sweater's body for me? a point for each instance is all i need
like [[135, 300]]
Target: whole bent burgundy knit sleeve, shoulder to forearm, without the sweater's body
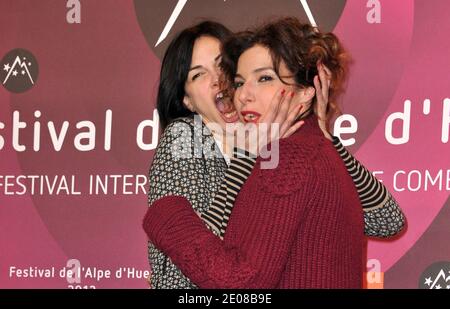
[[254, 251]]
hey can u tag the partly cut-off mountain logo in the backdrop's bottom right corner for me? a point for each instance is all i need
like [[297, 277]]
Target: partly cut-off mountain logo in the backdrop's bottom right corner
[[436, 276]]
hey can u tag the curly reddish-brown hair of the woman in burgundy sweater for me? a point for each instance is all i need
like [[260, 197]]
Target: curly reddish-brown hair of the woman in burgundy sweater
[[300, 46]]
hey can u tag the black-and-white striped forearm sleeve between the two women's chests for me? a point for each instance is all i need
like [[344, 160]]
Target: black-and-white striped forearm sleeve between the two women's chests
[[219, 212]]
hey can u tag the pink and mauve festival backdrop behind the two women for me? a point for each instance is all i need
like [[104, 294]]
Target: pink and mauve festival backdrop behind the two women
[[109, 62]]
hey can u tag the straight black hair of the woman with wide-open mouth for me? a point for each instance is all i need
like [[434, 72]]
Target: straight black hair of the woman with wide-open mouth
[[175, 68]]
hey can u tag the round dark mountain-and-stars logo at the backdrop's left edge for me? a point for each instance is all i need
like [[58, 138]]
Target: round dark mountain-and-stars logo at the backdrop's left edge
[[18, 70]]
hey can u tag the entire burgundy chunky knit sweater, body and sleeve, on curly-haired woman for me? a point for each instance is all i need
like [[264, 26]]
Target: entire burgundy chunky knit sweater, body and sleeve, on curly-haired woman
[[297, 226]]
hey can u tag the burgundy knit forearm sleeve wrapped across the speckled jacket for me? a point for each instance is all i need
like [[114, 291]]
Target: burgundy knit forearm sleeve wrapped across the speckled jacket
[[177, 231]]
